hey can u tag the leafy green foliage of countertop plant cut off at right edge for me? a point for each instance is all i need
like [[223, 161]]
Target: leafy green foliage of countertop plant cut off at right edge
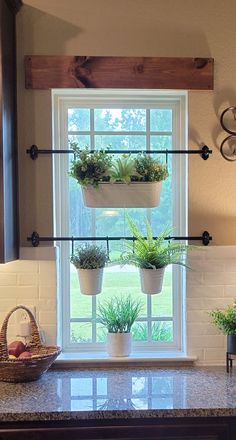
[[225, 320]]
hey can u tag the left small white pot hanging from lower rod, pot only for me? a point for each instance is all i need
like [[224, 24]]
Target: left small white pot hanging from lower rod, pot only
[[90, 281]]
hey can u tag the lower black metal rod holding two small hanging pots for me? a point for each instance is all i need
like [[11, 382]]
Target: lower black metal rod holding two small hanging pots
[[35, 238]]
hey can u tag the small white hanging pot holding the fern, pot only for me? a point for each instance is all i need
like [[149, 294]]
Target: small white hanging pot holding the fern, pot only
[[151, 280]]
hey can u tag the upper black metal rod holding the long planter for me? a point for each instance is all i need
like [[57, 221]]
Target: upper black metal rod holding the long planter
[[34, 151]]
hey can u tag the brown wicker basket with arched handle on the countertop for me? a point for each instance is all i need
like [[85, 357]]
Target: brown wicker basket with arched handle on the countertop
[[25, 369]]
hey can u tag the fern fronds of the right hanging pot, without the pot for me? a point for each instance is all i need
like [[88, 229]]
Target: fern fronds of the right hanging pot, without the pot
[[152, 253]]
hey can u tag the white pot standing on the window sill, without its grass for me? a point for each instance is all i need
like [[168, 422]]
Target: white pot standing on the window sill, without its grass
[[119, 344]]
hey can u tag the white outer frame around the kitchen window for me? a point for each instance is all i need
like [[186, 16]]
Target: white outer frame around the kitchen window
[[67, 98]]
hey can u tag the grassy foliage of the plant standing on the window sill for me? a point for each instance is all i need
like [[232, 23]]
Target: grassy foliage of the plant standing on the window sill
[[119, 314]]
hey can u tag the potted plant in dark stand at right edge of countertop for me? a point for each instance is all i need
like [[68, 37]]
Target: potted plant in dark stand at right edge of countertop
[[225, 320]]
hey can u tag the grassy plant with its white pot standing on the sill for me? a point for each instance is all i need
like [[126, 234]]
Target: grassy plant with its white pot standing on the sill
[[118, 316]]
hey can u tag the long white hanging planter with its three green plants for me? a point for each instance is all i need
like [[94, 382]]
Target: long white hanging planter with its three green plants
[[124, 181]]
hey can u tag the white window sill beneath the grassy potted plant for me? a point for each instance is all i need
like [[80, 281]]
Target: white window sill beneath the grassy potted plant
[[136, 359]]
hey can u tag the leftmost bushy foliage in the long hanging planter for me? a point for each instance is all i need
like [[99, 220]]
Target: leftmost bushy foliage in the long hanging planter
[[90, 168]]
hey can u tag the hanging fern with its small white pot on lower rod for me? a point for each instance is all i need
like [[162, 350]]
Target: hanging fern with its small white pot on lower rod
[[152, 255]]
